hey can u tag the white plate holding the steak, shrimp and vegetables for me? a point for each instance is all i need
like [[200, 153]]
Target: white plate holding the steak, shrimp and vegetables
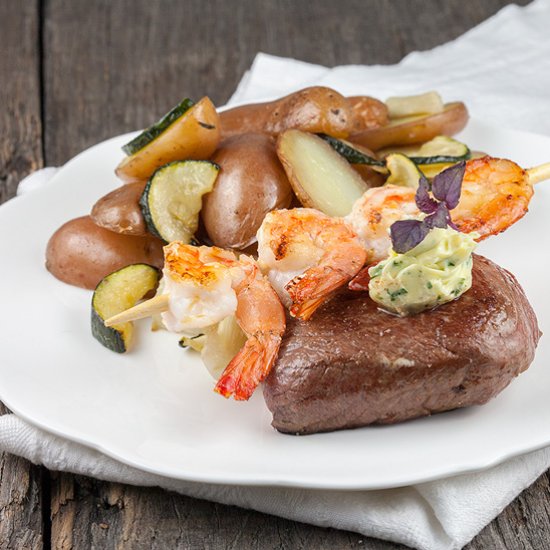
[[154, 408]]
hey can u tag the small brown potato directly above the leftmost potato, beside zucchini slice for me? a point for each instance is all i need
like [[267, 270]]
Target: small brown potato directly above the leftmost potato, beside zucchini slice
[[119, 210]]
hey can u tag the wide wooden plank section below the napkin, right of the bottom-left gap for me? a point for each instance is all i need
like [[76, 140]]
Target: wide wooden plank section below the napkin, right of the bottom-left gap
[[109, 515]]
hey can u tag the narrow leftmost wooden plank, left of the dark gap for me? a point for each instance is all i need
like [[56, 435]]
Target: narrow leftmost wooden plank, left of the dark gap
[[21, 518]]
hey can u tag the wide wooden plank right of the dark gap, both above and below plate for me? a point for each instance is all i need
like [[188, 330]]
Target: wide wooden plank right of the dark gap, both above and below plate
[[131, 61]]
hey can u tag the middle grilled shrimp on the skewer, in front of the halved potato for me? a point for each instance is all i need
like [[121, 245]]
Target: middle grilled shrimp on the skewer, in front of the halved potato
[[308, 256]]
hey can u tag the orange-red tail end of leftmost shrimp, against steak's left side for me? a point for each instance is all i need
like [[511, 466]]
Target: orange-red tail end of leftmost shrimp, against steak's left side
[[249, 367]]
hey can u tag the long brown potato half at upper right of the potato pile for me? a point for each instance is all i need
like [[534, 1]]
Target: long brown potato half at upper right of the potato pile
[[449, 122]]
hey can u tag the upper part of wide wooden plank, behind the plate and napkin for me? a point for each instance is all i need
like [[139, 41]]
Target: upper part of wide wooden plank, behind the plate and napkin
[[143, 57]]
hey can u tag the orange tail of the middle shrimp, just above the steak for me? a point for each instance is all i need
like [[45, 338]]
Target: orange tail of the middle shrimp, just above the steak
[[312, 289]]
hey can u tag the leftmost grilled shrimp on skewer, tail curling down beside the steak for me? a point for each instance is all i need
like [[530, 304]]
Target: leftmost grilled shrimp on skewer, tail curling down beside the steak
[[206, 285]]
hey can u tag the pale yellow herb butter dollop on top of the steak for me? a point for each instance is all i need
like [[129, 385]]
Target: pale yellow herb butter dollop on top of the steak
[[436, 271]]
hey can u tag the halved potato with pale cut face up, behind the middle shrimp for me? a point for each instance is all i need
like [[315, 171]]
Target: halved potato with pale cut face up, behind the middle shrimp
[[320, 177]]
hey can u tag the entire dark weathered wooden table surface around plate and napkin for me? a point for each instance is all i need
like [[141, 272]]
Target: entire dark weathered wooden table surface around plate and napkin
[[73, 73]]
